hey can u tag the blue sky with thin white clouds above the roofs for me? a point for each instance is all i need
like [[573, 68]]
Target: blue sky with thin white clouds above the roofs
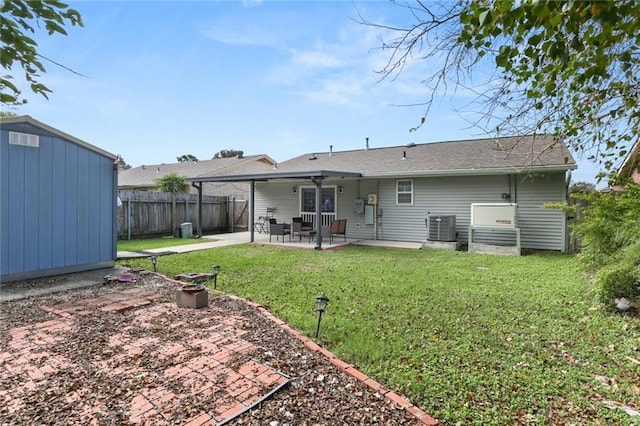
[[282, 78]]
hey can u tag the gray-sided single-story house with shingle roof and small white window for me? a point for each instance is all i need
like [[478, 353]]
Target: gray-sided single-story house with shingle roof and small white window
[[412, 181]]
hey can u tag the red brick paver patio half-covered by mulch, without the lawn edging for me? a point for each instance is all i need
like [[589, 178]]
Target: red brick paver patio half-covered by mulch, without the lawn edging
[[206, 366]]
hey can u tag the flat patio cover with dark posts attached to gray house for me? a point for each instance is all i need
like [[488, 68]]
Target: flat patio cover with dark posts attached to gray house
[[316, 177]]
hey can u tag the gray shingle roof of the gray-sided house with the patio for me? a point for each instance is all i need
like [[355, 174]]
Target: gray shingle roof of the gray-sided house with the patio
[[467, 157]]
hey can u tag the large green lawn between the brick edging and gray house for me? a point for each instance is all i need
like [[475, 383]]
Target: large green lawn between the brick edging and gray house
[[471, 339]]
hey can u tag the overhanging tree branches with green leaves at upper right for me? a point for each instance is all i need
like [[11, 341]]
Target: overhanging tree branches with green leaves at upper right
[[564, 67]]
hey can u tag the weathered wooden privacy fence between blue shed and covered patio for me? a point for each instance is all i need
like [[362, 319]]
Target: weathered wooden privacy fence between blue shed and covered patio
[[148, 214]]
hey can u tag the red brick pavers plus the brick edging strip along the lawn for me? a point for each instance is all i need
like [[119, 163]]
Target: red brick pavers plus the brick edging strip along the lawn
[[26, 361]]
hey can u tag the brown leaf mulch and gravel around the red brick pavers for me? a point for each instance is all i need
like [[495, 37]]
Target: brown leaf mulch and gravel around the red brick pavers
[[318, 393]]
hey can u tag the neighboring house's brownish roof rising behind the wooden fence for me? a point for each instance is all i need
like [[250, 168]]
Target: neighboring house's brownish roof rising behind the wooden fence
[[144, 176]]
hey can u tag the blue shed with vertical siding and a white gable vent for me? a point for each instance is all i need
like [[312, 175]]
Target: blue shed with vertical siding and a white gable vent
[[58, 210]]
